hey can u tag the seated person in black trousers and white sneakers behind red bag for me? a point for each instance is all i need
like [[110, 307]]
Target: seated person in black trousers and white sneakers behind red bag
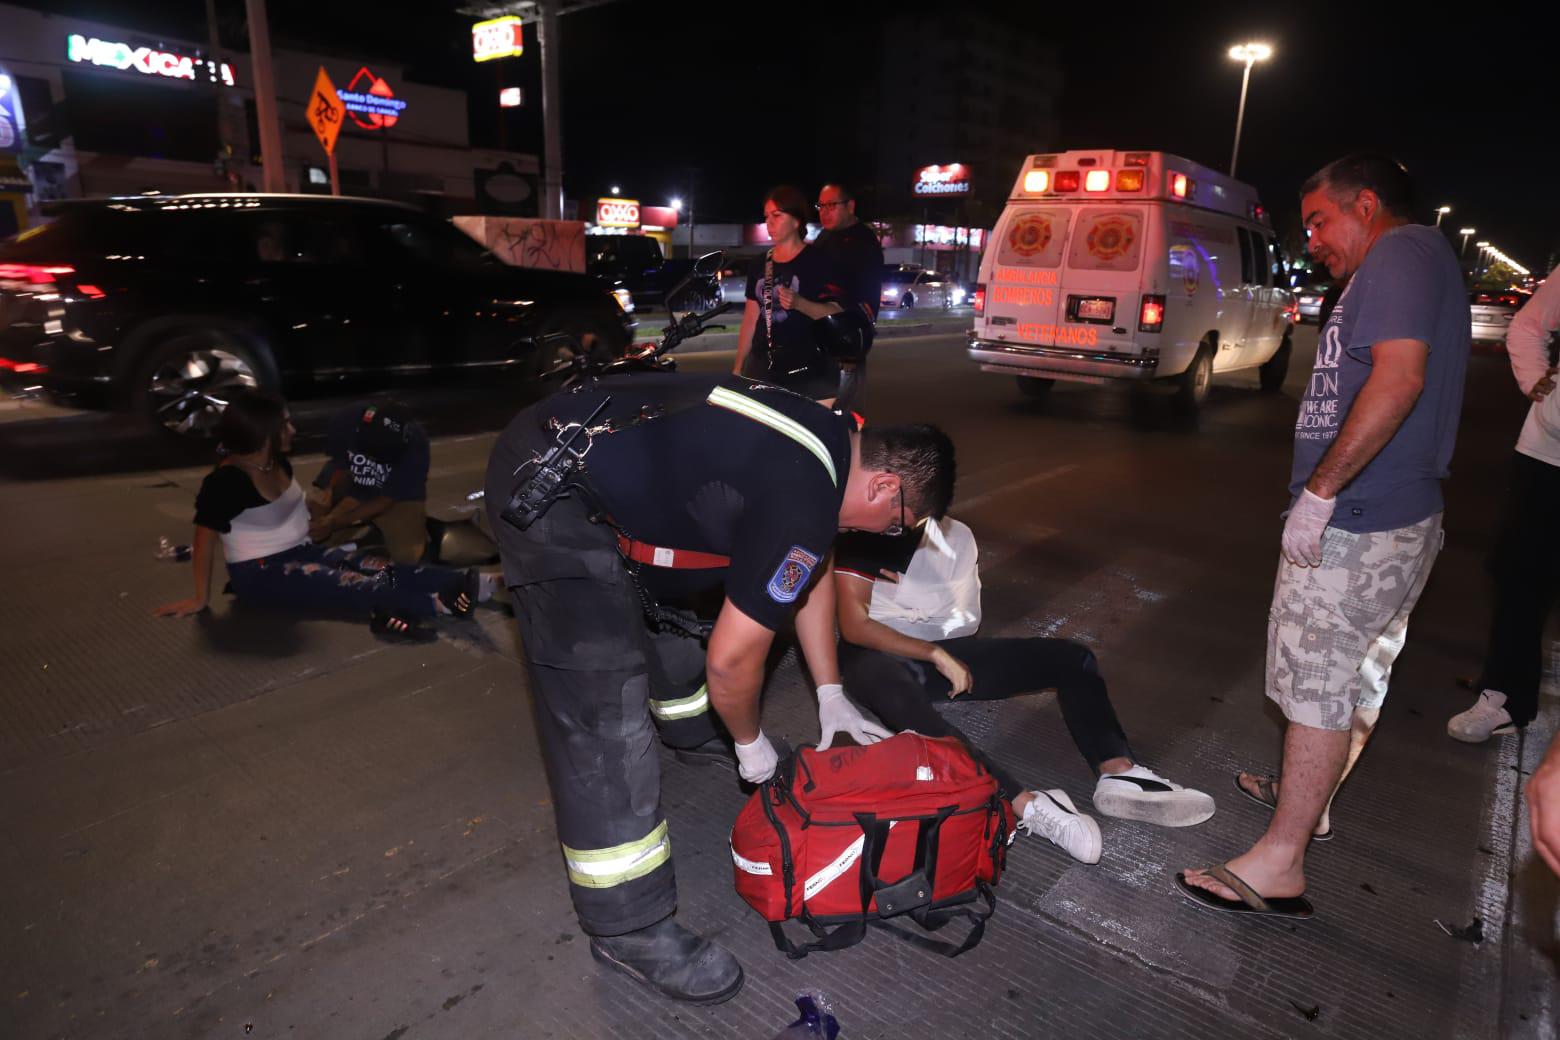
[[909, 614]]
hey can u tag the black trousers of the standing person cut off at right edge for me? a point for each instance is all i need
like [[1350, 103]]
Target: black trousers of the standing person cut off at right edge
[[1526, 568]]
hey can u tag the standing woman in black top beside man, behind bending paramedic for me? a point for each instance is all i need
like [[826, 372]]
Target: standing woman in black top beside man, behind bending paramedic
[[789, 289]]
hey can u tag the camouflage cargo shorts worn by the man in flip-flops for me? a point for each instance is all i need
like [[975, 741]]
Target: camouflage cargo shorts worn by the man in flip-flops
[[1336, 631]]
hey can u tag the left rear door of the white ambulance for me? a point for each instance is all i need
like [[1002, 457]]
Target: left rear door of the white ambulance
[[1024, 281]]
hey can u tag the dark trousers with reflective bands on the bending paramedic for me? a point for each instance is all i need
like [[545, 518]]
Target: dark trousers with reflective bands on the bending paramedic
[[597, 676]]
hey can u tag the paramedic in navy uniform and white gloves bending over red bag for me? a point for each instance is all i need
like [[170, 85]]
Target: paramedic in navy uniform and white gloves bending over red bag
[[686, 484]]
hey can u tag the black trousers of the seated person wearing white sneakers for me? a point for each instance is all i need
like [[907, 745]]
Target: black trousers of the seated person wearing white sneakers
[[902, 692]]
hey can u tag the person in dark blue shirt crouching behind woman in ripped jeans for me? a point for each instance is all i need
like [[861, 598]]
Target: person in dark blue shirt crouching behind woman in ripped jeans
[[375, 473]]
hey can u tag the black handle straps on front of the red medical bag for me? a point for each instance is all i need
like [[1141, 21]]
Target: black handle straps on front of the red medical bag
[[910, 896]]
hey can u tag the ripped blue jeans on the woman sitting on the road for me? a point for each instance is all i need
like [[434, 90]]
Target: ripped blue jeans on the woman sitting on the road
[[324, 581]]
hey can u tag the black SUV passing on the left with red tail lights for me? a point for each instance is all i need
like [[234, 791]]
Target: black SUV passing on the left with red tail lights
[[161, 303]]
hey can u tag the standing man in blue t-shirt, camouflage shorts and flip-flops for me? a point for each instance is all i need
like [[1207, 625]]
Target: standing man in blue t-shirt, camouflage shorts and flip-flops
[[1372, 447]]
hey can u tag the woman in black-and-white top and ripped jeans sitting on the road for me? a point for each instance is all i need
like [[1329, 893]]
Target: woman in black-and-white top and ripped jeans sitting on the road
[[255, 506]]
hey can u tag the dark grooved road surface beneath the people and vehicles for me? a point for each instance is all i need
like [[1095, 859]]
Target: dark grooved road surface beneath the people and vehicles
[[239, 826]]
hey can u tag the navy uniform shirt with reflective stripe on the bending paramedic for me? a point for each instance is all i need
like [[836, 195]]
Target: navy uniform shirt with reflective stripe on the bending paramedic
[[731, 467]]
